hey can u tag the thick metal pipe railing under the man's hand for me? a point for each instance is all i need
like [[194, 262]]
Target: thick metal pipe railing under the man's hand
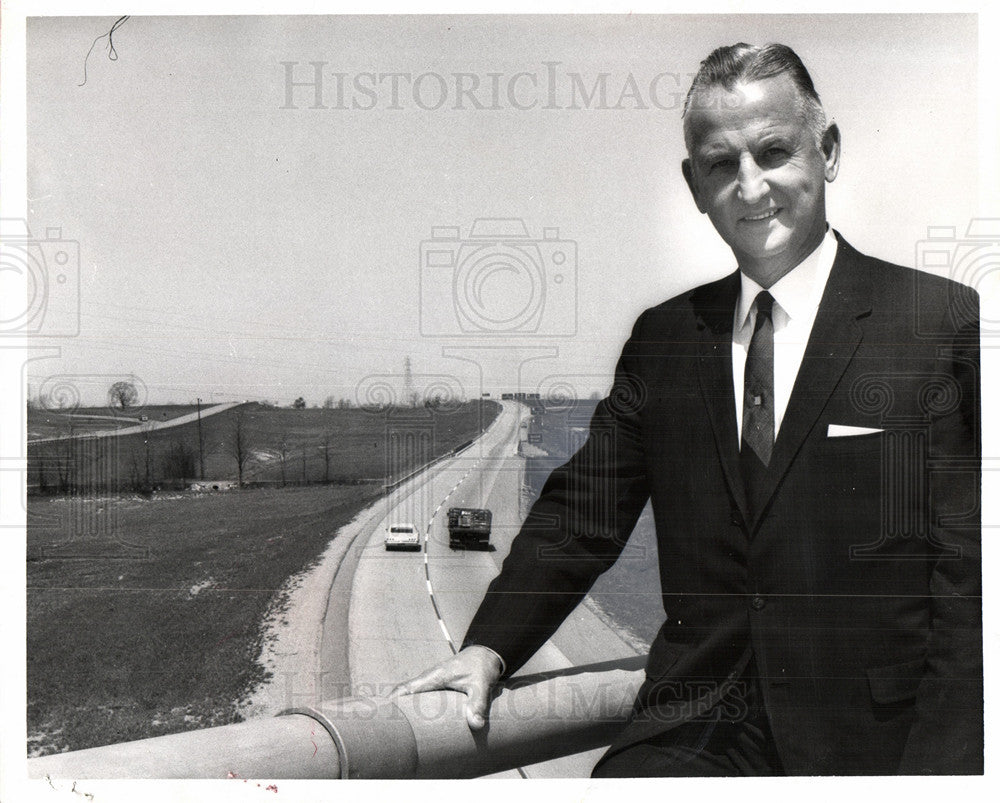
[[415, 736]]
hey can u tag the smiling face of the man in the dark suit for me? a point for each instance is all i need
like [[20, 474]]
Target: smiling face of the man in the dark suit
[[756, 171]]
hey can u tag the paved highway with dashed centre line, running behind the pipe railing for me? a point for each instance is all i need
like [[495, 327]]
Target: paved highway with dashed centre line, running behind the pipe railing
[[405, 611]]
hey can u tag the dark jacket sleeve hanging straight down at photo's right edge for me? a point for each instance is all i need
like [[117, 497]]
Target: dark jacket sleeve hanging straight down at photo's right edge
[[947, 734]]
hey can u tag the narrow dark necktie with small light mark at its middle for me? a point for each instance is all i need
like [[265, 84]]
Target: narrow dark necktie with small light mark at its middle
[[758, 401]]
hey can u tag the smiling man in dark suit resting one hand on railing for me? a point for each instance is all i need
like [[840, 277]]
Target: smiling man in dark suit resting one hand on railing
[[808, 432]]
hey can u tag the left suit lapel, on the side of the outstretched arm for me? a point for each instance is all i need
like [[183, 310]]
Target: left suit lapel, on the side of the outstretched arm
[[714, 307]]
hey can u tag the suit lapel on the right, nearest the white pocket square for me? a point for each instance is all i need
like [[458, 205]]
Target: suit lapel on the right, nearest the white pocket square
[[833, 341]]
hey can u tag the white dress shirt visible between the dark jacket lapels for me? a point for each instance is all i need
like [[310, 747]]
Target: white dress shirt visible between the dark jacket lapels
[[796, 300]]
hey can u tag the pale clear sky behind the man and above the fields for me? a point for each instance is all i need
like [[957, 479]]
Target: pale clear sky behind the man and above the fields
[[231, 247]]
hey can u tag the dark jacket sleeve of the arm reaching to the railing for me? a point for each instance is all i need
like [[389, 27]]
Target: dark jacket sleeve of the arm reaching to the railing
[[575, 530]]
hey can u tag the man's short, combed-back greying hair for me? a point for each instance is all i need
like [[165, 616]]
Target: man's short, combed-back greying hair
[[726, 66]]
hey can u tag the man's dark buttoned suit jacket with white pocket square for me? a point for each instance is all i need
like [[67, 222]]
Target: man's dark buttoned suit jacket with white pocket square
[[856, 588]]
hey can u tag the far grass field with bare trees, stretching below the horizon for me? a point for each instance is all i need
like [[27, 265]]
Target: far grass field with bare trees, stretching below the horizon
[[258, 444]]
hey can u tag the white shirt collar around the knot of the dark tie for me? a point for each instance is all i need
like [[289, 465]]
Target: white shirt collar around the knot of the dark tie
[[797, 294]]
